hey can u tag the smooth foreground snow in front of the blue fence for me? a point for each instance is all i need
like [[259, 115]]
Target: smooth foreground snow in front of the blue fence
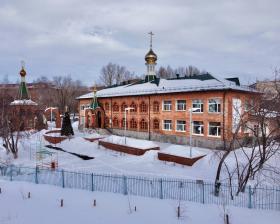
[[44, 207]]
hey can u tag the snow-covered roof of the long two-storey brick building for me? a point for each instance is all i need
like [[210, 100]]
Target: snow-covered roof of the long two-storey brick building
[[168, 86]]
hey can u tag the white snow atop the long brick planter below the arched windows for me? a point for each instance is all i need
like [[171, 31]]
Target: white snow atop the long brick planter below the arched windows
[[132, 142]]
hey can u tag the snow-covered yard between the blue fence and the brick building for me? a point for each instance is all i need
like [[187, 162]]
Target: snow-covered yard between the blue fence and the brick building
[[108, 161]]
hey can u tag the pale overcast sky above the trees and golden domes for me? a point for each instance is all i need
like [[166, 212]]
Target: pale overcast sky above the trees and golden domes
[[78, 37]]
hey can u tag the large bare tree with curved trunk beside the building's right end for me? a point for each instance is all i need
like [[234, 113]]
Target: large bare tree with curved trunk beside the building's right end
[[261, 120]]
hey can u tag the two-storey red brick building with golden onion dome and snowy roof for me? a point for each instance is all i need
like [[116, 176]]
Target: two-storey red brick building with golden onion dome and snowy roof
[[159, 109]]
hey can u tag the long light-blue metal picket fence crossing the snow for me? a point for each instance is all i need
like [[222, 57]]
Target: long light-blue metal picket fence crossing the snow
[[163, 188]]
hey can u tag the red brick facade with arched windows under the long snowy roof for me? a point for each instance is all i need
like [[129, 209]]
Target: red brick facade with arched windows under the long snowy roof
[[148, 114]]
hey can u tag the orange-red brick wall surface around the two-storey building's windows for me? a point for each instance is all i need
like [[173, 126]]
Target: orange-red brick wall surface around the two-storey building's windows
[[224, 117]]
